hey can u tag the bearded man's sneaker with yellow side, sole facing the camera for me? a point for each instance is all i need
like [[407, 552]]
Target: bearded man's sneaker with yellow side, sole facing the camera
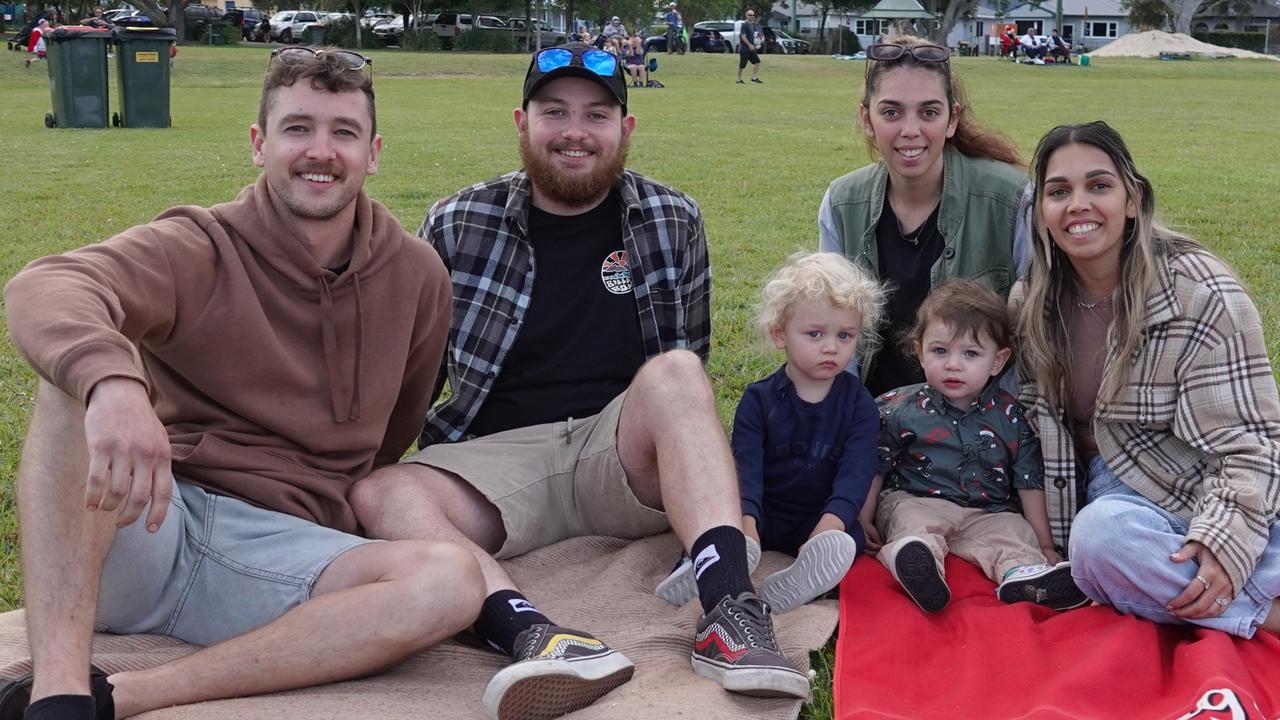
[[556, 671]]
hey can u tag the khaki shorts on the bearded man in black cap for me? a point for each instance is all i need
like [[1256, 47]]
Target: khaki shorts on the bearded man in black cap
[[552, 482]]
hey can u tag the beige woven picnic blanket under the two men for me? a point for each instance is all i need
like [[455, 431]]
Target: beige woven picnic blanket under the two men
[[595, 584]]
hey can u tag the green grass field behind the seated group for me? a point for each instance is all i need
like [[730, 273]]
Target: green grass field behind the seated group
[[757, 160]]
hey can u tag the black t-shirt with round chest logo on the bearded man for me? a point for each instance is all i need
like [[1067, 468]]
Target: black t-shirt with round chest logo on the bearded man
[[579, 345]]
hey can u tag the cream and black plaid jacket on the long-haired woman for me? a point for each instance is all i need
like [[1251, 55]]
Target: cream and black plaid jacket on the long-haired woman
[[1196, 430]]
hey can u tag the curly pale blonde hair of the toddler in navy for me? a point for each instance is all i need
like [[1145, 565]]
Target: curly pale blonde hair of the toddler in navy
[[824, 277]]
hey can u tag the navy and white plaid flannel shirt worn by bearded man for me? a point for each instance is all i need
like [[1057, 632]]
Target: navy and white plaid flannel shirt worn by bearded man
[[482, 235]]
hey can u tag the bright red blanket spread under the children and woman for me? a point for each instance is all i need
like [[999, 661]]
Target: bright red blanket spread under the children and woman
[[988, 660]]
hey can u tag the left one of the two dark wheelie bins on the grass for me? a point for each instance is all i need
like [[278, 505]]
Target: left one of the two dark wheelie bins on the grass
[[77, 78]]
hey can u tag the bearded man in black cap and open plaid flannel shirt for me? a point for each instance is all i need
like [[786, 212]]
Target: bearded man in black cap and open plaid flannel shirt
[[579, 403]]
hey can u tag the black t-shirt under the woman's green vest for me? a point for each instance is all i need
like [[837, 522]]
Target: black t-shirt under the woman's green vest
[[907, 262]]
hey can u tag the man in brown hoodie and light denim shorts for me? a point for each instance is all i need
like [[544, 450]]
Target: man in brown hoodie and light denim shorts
[[211, 386]]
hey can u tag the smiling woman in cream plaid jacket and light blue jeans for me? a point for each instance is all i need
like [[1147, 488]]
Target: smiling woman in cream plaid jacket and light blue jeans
[[1148, 377]]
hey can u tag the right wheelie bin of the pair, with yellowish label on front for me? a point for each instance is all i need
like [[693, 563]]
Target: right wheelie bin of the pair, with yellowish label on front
[[143, 65]]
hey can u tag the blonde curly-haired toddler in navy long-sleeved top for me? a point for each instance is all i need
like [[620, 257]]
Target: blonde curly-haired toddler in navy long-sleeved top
[[804, 439]]
